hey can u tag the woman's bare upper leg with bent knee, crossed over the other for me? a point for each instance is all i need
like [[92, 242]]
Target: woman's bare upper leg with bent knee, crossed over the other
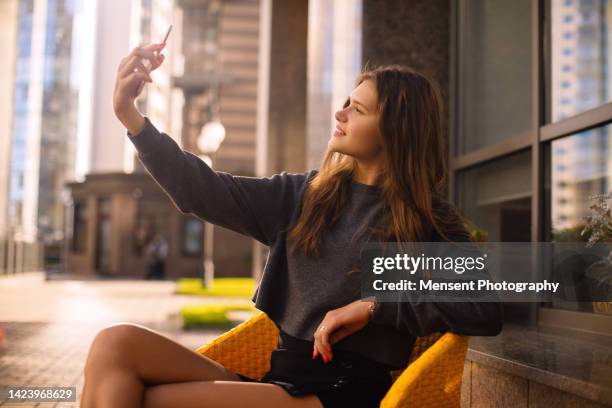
[[124, 358]]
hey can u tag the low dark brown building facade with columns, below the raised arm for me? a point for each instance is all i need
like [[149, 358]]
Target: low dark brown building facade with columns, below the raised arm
[[116, 216]]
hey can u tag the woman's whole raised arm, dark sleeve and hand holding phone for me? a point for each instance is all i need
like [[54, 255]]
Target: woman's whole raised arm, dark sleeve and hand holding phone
[[252, 206]]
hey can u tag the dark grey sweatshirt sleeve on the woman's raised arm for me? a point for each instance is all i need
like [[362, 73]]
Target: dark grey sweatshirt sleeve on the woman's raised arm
[[251, 206]]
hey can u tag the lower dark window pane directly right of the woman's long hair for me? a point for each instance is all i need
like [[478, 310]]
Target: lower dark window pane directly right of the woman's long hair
[[496, 197]]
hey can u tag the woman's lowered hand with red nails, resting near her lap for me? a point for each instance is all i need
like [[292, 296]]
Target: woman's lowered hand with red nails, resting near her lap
[[339, 323]]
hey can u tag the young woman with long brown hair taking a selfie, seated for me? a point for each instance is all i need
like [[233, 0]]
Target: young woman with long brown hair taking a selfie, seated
[[382, 177]]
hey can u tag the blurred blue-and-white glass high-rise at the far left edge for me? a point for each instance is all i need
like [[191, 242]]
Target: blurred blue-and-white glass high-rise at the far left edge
[[43, 93]]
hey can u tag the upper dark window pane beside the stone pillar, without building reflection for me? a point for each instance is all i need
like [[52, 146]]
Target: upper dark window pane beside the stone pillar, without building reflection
[[494, 72]]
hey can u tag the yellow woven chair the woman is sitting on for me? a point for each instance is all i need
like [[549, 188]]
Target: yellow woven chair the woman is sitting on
[[431, 379]]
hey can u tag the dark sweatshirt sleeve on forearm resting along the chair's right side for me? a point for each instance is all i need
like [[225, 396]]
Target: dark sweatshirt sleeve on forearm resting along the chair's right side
[[423, 318]]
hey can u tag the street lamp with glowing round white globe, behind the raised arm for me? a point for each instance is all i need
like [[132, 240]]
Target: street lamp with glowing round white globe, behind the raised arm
[[209, 141]]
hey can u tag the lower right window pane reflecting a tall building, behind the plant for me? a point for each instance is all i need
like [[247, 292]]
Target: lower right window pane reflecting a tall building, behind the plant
[[587, 173]]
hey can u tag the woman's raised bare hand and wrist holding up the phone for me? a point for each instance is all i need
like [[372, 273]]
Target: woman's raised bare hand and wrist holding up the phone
[[132, 72]]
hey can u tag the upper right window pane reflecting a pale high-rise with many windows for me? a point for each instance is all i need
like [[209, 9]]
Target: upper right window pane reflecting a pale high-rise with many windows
[[578, 57]]
